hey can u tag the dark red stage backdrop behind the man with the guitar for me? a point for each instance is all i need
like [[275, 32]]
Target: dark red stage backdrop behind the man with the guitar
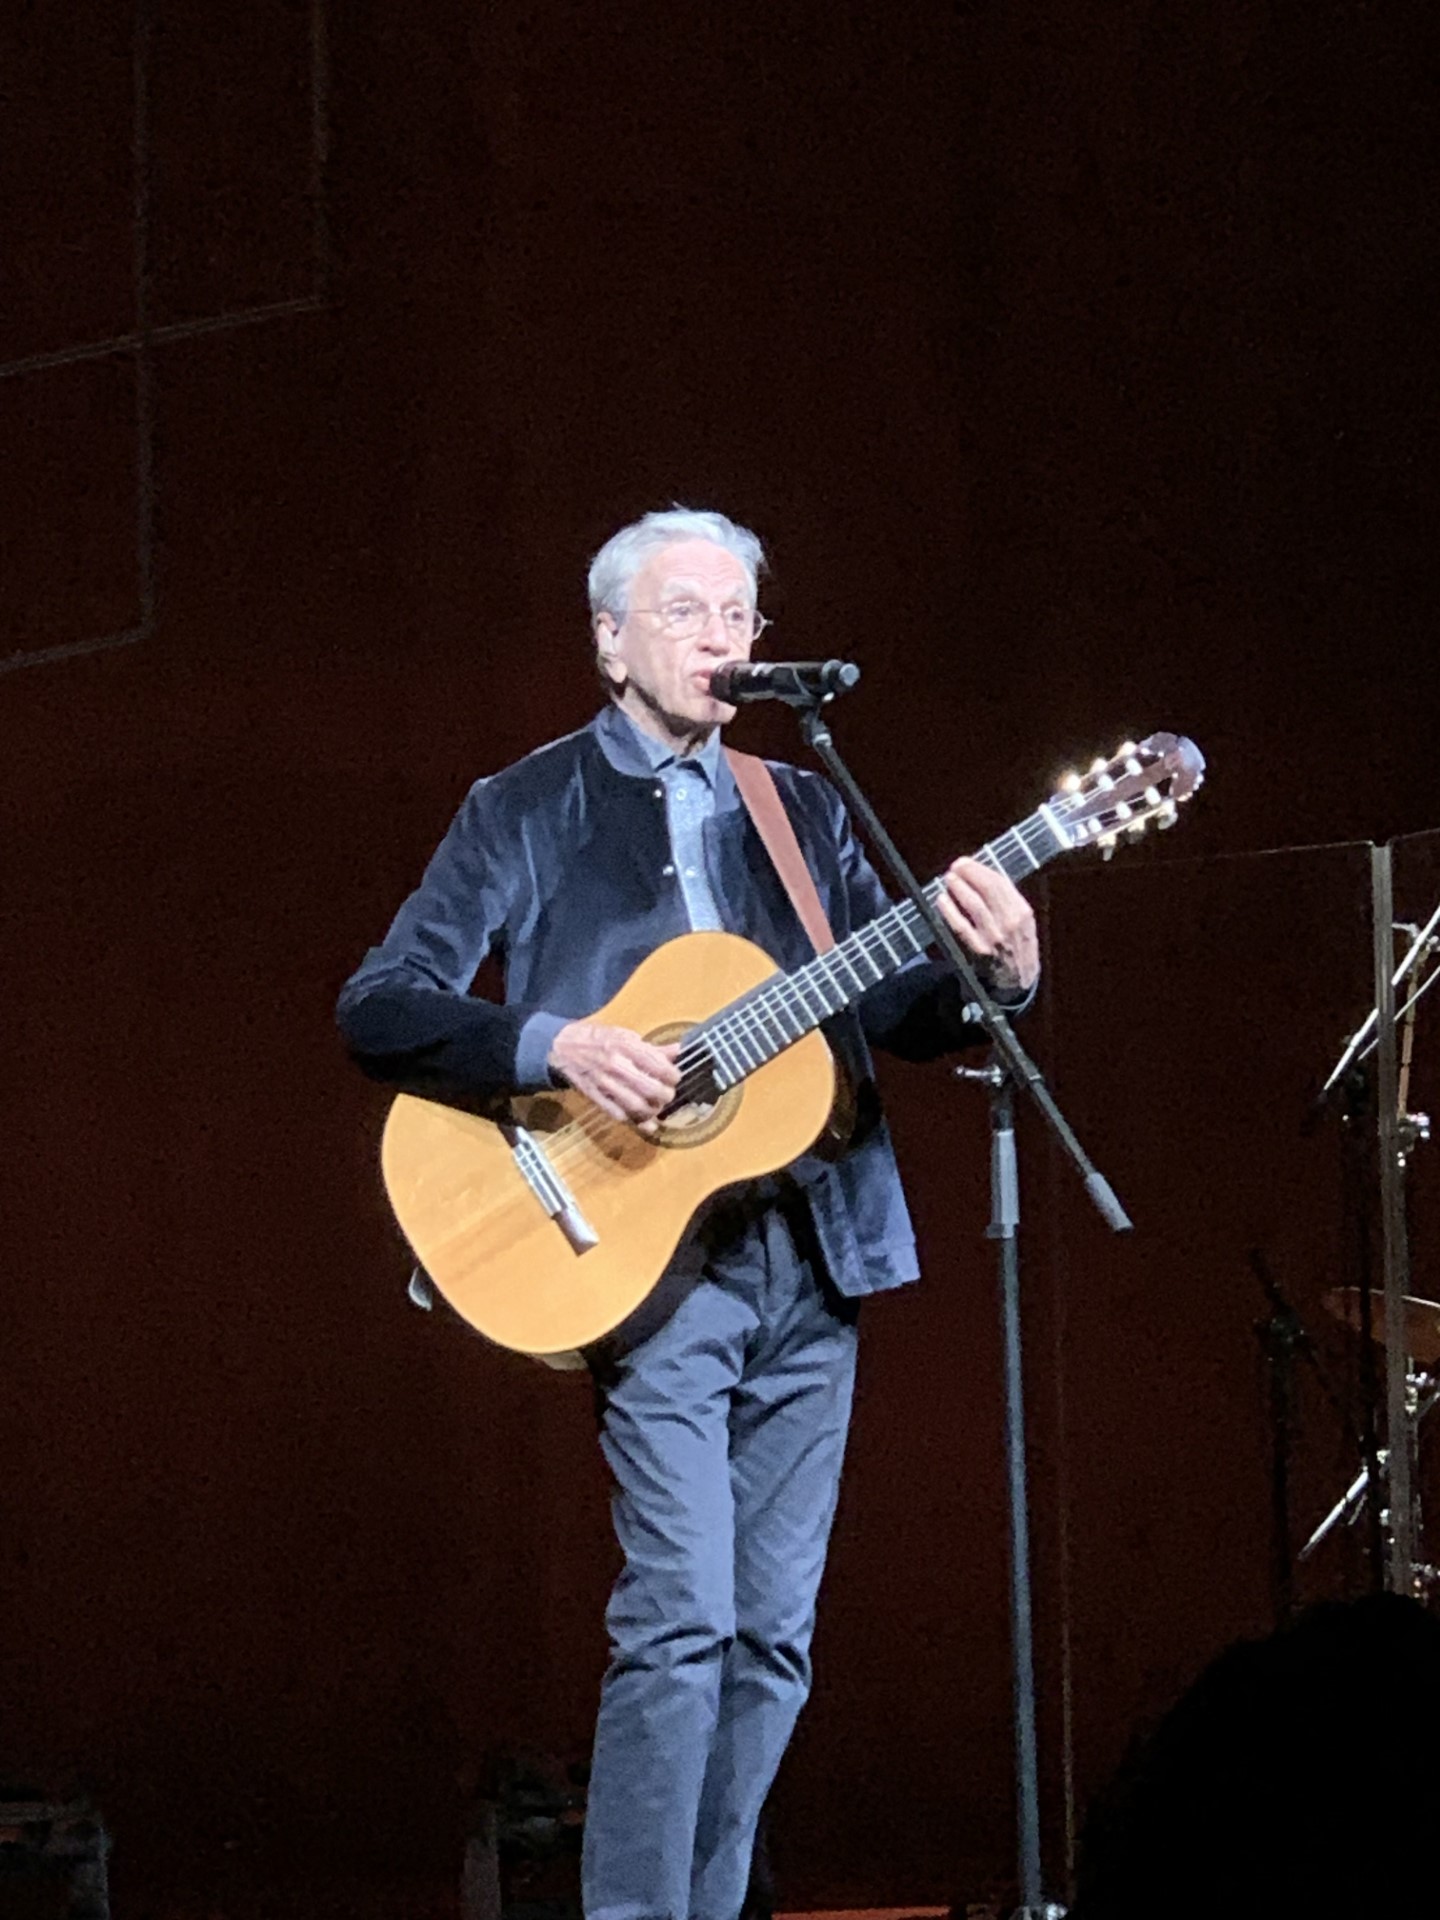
[[1076, 364]]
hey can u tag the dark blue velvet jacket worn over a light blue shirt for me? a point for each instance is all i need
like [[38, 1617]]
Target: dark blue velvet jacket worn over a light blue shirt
[[558, 867]]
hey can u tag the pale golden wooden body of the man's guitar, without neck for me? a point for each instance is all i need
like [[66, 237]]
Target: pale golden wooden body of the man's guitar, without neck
[[510, 1266]]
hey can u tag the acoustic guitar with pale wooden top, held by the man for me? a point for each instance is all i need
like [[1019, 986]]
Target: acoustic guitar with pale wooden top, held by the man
[[548, 1224]]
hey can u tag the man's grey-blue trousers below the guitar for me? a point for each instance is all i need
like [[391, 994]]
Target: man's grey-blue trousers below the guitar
[[725, 1435]]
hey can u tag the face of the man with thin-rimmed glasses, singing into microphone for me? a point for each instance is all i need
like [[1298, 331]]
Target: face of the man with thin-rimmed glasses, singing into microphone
[[667, 681]]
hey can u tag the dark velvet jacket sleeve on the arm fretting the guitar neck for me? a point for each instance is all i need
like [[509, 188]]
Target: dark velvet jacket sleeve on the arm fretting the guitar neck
[[921, 1011]]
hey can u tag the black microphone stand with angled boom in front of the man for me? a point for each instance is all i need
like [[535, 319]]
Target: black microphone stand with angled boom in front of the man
[[1011, 1068]]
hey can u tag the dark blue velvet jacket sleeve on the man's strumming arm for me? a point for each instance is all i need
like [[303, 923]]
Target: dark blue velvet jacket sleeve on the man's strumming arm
[[408, 1015]]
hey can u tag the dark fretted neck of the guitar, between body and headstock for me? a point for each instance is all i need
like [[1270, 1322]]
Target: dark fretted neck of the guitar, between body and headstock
[[752, 1032]]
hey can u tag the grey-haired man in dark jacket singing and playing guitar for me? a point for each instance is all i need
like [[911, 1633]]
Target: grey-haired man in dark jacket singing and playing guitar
[[725, 1408]]
